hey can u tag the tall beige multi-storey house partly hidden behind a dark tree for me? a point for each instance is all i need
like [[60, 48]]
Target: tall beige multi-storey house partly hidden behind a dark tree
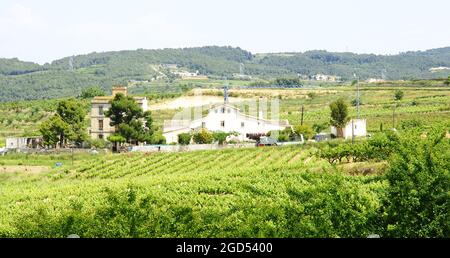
[[100, 128]]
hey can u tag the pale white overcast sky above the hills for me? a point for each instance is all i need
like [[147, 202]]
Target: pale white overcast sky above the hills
[[45, 30]]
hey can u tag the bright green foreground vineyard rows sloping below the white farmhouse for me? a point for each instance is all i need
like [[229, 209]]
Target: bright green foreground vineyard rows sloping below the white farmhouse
[[242, 192]]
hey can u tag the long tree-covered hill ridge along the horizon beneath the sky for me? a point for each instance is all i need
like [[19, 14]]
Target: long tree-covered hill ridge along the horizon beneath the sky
[[67, 76]]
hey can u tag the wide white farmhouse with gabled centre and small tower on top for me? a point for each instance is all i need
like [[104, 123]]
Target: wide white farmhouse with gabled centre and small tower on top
[[225, 118]]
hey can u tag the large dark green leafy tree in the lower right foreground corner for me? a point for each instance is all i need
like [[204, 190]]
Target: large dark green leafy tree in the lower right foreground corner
[[417, 201]]
